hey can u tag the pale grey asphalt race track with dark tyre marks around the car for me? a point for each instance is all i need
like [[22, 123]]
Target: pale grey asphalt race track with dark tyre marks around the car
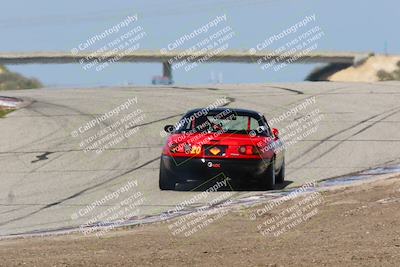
[[46, 177]]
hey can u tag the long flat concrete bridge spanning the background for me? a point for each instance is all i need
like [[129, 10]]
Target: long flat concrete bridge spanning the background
[[176, 57]]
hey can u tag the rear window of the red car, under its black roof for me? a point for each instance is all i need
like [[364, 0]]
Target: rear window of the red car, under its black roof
[[224, 122]]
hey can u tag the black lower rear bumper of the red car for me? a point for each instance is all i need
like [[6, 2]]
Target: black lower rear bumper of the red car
[[203, 169]]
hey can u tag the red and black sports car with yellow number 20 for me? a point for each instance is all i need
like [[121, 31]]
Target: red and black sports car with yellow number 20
[[206, 143]]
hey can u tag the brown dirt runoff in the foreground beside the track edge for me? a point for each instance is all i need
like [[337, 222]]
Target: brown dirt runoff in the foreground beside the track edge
[[353, 226]]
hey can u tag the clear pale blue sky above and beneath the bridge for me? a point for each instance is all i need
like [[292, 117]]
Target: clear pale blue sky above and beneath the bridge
[[45, 25]]
